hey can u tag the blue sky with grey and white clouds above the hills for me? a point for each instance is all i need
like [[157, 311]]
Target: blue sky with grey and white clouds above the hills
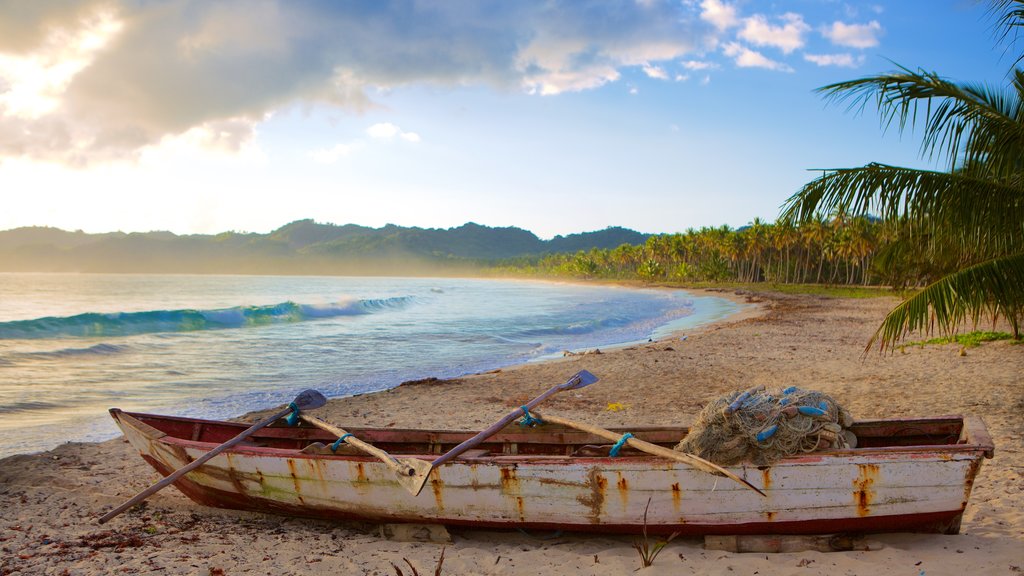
[[556, 116]]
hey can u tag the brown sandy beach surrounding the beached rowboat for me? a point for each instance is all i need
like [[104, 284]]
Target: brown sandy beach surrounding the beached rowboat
[[50, 503]]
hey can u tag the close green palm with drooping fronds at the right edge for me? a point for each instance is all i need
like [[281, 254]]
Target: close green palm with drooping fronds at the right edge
[[976, 208]]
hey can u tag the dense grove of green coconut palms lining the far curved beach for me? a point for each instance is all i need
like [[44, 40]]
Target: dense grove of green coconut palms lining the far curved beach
[[841, 251]]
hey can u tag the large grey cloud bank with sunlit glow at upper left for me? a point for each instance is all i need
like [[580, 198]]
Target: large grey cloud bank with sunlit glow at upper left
[[94, 80]]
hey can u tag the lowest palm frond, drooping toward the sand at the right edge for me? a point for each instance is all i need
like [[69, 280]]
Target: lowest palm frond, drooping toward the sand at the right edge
[[995, 289]]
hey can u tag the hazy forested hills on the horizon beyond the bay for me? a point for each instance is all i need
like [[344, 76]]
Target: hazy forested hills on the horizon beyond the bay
[[301, 248]]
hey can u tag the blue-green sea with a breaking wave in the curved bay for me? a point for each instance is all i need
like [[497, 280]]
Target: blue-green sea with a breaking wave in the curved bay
[[216, 347]]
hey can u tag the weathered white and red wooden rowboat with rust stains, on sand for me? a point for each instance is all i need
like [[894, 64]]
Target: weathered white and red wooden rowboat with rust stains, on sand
[[907, 475]]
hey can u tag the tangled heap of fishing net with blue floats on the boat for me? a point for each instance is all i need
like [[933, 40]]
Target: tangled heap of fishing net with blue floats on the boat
[[763, 428]]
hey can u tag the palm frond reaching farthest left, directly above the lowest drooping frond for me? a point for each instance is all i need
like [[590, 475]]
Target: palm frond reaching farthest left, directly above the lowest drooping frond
[[975, 213]]
